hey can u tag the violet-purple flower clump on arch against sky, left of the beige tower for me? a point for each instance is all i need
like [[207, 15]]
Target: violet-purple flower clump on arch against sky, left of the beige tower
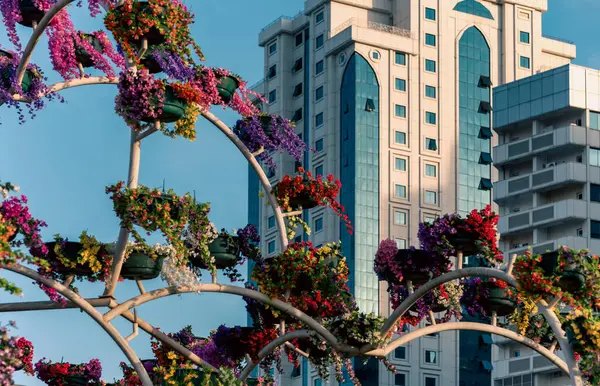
[[270, 133]]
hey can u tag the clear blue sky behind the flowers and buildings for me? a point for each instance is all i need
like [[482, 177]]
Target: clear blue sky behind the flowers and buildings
[[63, 159]]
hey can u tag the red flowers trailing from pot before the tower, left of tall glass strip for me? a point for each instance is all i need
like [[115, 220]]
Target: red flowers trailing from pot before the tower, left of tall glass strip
[[303, 186]]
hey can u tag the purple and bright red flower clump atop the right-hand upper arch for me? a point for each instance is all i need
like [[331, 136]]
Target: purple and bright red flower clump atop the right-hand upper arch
[[478, 227]]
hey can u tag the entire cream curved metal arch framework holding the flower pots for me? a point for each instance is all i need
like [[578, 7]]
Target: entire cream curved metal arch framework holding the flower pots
[[123, 309]]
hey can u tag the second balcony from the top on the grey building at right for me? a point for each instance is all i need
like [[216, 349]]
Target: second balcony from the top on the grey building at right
[[552, 177]]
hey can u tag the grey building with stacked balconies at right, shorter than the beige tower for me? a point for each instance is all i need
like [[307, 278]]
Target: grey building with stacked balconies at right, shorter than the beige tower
[[548, 193]]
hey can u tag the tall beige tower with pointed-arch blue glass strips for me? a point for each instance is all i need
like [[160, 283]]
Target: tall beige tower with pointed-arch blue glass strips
[[394, 96]]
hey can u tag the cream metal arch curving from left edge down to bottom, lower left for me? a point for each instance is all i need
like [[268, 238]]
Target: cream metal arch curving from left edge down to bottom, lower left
[[92, 312]]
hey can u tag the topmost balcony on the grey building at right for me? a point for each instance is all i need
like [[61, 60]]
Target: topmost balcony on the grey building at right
[[559, 140]]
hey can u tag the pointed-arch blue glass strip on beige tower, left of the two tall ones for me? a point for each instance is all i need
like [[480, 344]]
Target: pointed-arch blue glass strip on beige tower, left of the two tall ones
[[360, 180]]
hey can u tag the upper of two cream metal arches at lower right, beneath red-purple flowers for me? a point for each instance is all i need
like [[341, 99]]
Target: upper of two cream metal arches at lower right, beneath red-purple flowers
[[432, 284]]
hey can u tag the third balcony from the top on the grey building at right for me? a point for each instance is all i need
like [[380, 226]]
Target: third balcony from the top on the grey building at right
[[543, 216]]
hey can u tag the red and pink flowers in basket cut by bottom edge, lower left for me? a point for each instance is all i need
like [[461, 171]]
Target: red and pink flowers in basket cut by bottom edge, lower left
[[53, 373]]
